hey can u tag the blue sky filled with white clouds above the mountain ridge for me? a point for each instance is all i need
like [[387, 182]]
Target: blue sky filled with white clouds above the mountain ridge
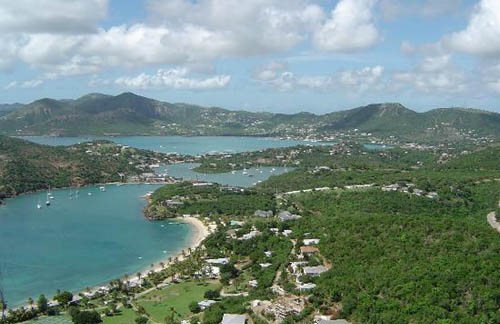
[[260, 55]]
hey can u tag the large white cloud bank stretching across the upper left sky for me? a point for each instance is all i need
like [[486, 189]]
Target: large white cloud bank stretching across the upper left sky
[[179, 32]]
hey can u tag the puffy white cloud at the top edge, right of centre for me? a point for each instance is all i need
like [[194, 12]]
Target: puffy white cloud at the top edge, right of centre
[[350, 28]]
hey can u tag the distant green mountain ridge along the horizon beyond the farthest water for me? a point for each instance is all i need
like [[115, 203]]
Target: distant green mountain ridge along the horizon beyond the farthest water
[[130, 114]]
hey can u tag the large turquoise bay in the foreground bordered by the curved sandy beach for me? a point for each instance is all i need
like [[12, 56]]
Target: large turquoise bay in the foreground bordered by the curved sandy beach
[[80, 242]]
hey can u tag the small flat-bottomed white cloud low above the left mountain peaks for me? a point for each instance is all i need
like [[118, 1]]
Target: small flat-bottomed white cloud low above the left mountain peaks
[[175, 78]]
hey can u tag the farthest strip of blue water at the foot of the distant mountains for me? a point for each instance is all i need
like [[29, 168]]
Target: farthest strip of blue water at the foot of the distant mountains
[[181, 145]]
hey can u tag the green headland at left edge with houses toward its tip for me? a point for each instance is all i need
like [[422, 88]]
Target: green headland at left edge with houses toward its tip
[[27, 167]]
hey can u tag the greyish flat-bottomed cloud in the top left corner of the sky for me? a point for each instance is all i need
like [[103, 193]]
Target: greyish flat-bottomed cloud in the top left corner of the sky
[[54, 16]]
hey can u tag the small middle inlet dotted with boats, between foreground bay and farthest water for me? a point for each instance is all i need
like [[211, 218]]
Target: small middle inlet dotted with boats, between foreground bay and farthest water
[[252, 176]]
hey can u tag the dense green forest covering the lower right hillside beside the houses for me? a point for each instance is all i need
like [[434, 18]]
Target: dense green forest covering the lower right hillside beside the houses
[[398, 258]]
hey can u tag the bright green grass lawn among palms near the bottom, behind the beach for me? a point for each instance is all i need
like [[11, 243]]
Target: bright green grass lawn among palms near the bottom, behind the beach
[[158, 302]]
